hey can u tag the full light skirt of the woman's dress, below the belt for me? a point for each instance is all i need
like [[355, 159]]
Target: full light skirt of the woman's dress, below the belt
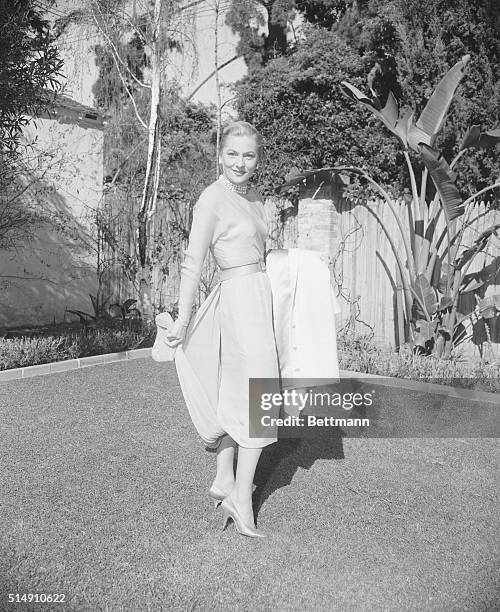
[[230, 341]]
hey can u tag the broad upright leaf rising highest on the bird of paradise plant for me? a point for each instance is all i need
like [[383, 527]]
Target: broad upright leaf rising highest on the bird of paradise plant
[[434, 113]]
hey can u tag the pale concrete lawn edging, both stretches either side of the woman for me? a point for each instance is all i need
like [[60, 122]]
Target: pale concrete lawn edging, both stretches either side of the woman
[[401, 383]]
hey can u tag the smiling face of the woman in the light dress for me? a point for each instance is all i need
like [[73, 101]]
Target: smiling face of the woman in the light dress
[[239, 157]]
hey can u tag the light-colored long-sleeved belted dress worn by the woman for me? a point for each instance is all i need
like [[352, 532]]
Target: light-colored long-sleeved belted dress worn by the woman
[[231, 339]]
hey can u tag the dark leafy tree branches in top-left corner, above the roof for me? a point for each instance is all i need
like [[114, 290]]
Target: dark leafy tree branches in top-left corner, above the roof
[[29, 63]]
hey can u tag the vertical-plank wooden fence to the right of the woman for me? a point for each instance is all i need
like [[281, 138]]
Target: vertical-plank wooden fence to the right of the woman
[[363, 264]]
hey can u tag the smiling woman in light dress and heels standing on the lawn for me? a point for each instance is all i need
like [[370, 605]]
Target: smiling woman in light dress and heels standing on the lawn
[[229, 219]]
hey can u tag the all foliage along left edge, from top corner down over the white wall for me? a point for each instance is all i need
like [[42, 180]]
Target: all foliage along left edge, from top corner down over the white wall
[[29, 64]]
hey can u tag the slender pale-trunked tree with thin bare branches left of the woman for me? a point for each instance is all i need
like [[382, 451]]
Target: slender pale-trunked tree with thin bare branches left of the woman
[[154, 32]]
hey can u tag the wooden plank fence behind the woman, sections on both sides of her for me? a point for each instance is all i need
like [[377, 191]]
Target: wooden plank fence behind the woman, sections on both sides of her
[[351, 233]]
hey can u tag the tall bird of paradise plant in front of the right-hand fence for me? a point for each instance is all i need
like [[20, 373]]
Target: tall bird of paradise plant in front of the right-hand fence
[[434, 273]]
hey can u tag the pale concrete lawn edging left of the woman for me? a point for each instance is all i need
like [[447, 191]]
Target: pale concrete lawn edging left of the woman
[[72, 364]]
